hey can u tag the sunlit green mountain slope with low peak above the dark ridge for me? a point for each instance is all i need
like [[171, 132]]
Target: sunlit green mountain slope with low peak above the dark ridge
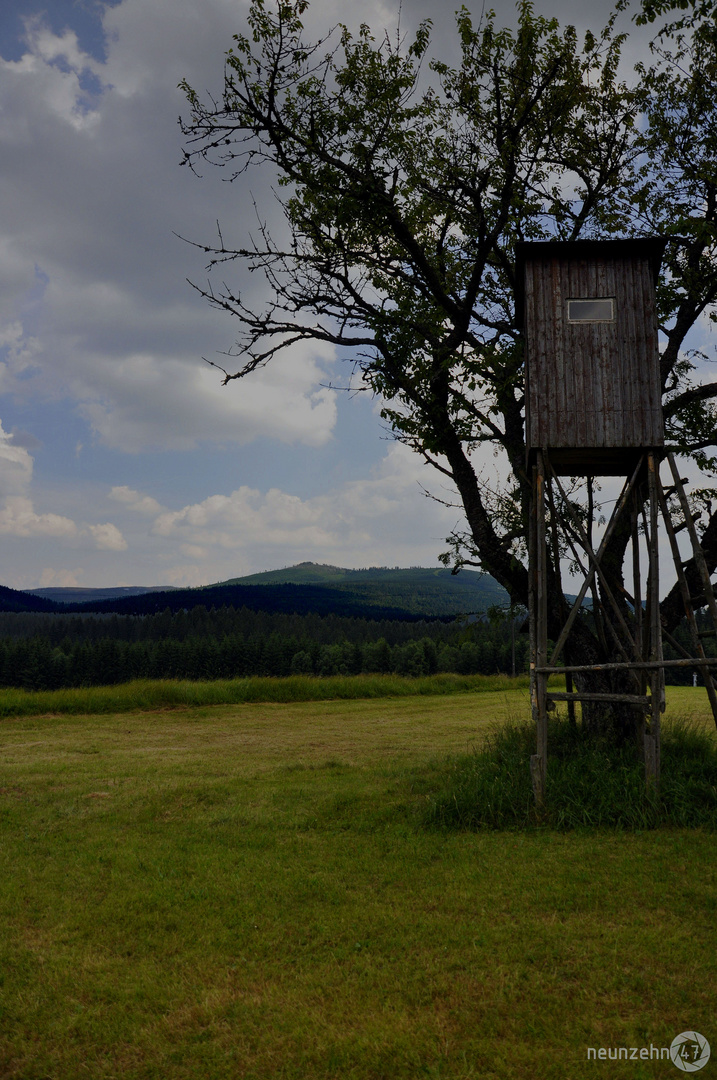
[[418, 590]]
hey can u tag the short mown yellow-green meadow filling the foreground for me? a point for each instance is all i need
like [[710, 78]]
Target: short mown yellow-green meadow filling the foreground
[[247, 892]]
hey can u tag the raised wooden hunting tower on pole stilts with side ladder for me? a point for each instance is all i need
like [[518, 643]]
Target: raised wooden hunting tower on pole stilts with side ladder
[[594, 408]]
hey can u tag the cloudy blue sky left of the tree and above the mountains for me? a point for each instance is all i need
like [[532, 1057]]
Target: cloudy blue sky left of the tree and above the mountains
[[123, 460]]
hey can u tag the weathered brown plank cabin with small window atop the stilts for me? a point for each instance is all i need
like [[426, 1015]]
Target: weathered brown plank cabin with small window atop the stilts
[[593, 395]]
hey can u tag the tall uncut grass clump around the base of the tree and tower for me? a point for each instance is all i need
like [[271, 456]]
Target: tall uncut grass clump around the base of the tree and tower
[[591, 784]]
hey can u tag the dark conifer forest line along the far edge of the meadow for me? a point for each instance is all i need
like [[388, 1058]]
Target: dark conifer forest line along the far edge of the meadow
[[45, 653]]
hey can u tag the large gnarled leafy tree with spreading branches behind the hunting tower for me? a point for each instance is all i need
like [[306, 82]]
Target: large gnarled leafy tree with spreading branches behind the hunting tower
[[405, 185]]
